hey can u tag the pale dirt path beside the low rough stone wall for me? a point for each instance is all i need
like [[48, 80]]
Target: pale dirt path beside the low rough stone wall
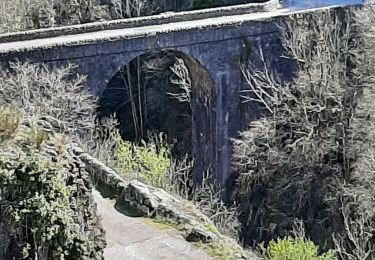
[[130, 238]]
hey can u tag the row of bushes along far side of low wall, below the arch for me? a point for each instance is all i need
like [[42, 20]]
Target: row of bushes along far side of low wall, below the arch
[[152, 163]]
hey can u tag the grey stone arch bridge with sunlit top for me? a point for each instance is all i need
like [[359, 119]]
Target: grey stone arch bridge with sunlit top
[[212, 43]]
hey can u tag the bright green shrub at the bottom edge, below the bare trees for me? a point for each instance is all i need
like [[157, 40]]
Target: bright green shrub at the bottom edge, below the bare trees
[[298, 248]]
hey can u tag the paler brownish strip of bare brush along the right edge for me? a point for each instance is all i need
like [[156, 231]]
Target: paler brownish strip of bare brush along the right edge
[[357, 240]]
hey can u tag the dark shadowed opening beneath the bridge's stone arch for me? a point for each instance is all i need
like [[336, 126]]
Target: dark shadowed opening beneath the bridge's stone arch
[[144, 96]]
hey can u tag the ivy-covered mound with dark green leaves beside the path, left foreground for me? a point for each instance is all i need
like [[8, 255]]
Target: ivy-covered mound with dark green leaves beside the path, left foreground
[[46, 205]]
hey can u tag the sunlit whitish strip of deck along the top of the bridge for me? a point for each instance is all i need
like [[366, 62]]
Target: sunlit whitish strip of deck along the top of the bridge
[[137, 32]]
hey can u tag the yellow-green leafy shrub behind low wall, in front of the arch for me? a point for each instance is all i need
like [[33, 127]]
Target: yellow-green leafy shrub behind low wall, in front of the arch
[[148, 161]]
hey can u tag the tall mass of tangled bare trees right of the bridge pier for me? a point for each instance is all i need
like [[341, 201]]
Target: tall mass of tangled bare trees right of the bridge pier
[[310, 155]]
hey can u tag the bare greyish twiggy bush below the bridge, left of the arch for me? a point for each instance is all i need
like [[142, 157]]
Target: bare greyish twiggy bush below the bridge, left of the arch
[[57, 95]]
